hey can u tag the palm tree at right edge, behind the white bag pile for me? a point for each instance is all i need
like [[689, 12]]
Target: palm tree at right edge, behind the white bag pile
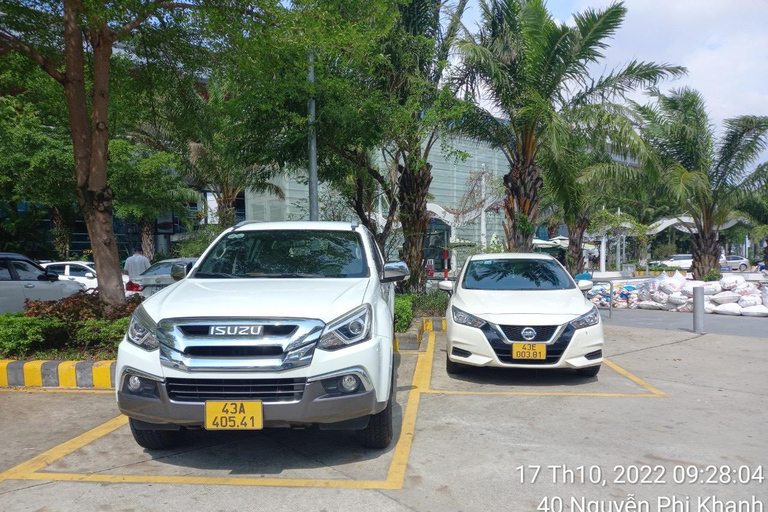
[[680, 131]]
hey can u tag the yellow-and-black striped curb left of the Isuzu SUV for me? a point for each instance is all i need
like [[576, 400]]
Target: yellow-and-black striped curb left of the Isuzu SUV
[[57, 374]]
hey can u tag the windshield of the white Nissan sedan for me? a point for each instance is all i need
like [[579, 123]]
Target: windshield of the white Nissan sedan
[[507, 274]]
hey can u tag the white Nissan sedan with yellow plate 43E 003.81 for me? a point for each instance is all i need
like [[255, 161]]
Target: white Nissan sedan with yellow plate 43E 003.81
[[521, 311]]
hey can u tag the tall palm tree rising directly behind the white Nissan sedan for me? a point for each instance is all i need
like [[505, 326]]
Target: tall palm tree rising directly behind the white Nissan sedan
[[535, 71]]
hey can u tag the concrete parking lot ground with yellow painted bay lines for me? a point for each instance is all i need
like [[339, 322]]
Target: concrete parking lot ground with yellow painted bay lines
[[665, 399]]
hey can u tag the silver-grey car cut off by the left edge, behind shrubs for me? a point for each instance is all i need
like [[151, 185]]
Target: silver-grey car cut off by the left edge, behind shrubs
[[21, 278]]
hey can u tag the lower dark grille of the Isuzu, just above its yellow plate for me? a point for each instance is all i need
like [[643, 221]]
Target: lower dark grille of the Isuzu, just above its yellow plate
[[266, 390]]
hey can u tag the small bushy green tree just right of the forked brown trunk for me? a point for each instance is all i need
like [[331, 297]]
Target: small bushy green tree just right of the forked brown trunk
[[147, 184]]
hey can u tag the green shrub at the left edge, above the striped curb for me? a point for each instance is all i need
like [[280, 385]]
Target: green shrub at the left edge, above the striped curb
[[21, 335]]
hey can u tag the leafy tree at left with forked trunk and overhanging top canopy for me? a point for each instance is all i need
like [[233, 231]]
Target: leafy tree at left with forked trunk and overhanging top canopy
[[74, 42]]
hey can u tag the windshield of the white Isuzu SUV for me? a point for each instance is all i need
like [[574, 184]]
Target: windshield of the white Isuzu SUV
[[285, 253]]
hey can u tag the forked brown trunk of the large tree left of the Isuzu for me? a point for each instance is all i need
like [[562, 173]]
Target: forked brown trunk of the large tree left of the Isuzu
[[90, 141]]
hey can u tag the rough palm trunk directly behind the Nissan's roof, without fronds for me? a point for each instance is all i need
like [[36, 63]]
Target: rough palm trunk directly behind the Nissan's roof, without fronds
[[521, 206]]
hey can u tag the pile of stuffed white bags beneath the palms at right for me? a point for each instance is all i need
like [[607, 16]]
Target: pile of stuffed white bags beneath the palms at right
[[732, 295]]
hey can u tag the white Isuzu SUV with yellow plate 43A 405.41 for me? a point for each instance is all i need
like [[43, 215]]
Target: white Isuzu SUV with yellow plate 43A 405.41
[[285, 324]]
